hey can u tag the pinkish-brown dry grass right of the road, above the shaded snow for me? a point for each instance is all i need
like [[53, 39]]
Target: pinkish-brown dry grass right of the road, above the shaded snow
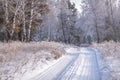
[[109, 49]]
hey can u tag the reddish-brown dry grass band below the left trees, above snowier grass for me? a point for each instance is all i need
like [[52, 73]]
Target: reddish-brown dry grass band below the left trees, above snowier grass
[[11, 50]]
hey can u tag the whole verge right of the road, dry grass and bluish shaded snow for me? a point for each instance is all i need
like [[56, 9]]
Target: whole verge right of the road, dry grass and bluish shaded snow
[[111, 54]]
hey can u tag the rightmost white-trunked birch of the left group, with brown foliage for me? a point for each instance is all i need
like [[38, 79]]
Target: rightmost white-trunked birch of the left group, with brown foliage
[[37, 8]]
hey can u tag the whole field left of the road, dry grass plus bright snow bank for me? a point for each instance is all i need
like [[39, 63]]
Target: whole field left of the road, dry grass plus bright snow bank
[[22, 61]]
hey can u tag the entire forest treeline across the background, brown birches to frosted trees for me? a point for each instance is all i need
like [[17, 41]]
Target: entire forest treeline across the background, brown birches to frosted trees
[[59, 20]]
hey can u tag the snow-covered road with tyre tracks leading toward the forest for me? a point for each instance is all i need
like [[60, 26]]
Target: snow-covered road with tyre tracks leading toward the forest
[[81, 65]]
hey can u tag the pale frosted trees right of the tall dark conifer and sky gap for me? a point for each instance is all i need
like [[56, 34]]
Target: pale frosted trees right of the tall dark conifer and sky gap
[[101, 19]]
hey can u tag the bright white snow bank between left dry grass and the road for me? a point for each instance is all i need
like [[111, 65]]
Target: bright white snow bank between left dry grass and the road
[[40, 68]]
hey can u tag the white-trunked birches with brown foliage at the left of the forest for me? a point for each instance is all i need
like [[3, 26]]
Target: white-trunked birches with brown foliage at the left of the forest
[[19, 17]]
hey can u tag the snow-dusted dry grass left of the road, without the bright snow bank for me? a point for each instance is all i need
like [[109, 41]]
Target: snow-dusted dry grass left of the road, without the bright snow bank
[[15, 55]]
